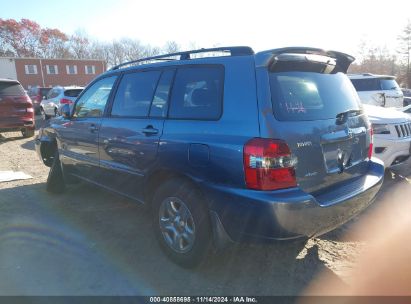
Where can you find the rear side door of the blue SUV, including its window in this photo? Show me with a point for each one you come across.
(129, 137)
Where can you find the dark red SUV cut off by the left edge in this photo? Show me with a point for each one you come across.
(16, 109)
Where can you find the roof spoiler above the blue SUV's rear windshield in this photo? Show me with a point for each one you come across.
(269, 58)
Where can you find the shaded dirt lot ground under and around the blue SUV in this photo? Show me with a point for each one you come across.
(90, 242)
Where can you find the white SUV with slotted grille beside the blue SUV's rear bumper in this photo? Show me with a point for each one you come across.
(392, 134)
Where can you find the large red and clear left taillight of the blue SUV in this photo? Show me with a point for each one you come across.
(268, 164)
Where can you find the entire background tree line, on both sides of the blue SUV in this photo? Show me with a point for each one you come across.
(26, 38)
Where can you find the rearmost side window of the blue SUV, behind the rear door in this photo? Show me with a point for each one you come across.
(197, 93)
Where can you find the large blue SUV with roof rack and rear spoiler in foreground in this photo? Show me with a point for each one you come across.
(245, 147)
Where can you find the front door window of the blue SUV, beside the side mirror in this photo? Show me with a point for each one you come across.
(93, 101)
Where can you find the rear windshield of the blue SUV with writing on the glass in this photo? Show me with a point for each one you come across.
(311, 96)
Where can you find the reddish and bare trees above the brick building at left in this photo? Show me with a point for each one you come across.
(26, 38)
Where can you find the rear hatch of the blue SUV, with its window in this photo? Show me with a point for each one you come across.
(320, 118)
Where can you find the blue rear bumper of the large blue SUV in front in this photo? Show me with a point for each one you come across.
(247, 215)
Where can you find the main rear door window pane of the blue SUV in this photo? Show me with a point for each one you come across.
(134, 94)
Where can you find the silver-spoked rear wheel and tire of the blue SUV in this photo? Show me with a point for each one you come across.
(181, 223)
